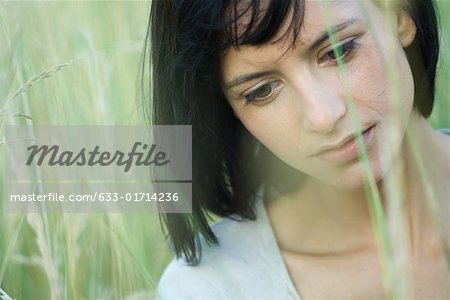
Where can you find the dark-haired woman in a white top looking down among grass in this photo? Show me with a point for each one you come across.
(307, 116)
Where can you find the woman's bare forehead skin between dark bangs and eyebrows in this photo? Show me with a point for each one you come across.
(344, 17)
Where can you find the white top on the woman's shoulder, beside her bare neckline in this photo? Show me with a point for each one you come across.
(247, 264)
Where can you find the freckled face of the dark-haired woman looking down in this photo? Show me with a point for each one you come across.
(294, 100)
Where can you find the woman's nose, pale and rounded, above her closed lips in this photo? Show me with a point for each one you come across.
(322, 107)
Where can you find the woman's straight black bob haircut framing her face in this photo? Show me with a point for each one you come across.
(184, 43)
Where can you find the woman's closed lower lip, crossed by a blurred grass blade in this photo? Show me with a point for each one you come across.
(349, 150)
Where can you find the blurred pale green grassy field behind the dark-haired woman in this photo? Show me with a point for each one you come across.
(77, 63)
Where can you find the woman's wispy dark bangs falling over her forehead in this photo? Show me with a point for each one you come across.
(257, 22)
